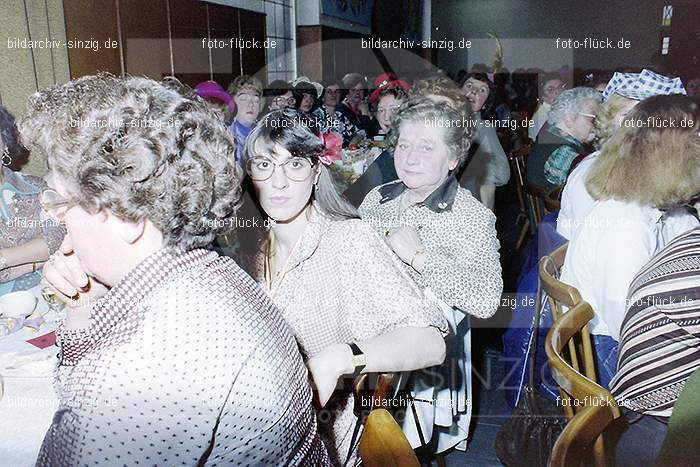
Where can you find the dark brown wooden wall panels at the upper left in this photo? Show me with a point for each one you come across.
(158, 38)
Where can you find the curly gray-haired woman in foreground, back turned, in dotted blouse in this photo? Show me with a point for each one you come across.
(161, 332)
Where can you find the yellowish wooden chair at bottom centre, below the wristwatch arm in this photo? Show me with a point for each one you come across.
(382, 443)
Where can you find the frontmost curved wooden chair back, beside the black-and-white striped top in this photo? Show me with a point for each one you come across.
(593, 406)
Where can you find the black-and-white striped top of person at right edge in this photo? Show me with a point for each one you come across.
(660, 337)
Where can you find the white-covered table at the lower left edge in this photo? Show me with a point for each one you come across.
(29, 401)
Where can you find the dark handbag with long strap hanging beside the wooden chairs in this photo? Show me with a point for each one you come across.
(526, 439)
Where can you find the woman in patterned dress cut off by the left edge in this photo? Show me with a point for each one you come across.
(27, 236)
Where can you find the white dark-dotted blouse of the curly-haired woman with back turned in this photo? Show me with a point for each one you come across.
(187, 362)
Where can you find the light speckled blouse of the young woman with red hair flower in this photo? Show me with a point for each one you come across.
(343, 284)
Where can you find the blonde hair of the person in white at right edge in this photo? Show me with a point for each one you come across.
(648, 163)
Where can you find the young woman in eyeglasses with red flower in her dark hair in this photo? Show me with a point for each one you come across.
(342, 291)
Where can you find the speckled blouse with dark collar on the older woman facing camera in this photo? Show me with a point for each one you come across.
(462, 266)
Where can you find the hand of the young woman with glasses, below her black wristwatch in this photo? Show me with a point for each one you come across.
(327, 366)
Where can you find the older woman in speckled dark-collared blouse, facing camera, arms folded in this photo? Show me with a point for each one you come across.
(444, 237)
